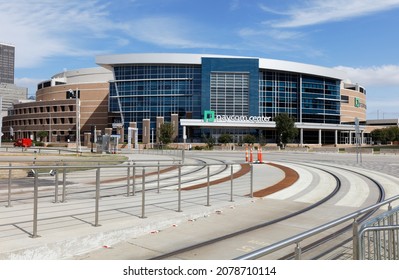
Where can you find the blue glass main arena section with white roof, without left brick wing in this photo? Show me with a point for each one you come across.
(214, 94)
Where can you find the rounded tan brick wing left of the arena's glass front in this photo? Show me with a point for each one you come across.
(55, 111)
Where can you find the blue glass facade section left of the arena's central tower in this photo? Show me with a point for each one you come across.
(149, 91)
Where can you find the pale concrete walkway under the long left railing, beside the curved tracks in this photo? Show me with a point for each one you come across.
(66, 229)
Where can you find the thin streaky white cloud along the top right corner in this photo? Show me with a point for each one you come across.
(321, 11)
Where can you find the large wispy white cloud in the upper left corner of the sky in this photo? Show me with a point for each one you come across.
(47, 28)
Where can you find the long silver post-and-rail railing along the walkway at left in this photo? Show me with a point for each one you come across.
(129, 177)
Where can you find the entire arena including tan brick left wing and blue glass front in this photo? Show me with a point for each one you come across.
(199, 94)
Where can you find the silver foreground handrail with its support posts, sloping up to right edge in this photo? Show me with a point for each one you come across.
(298, 239)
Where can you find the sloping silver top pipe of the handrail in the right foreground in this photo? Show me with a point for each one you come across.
(307, 234)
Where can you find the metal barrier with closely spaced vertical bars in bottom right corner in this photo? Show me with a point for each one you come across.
(378, 237)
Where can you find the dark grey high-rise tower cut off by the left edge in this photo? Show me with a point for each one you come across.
(7, 61)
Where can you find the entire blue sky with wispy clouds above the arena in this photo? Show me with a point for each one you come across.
(357, 36)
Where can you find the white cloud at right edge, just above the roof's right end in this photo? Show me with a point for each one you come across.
(385, 75)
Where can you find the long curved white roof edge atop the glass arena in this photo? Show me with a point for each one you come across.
(108, 61)
